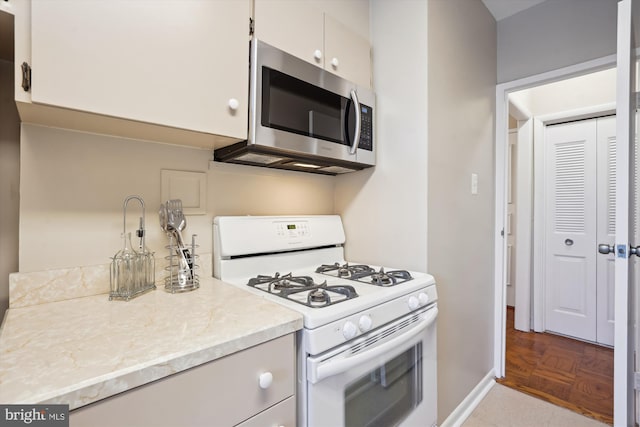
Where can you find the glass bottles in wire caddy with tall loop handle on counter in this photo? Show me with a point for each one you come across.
(132, 272)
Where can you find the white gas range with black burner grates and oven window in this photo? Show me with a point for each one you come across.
(367, 352)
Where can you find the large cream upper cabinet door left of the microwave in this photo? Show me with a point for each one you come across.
(174, 63)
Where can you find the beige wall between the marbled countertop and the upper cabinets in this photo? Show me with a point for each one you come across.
(73, 185)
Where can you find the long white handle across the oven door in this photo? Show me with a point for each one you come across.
(318, 370)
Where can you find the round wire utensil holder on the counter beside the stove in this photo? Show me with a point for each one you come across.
(180, 277)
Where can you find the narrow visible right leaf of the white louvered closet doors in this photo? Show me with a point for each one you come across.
(606, 228)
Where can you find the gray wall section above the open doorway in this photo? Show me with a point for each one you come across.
(555, 34)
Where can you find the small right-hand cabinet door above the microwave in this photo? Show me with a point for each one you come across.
(347, 54)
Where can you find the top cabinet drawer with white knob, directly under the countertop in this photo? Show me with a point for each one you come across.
(220, 393)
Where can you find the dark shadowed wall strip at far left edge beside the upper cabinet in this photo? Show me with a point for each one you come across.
(9, 182)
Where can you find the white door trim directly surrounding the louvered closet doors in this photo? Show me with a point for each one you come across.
(539, 196)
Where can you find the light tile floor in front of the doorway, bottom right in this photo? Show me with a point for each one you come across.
(505, 407)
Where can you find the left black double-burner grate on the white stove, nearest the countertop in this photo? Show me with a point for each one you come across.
(302, 289)
